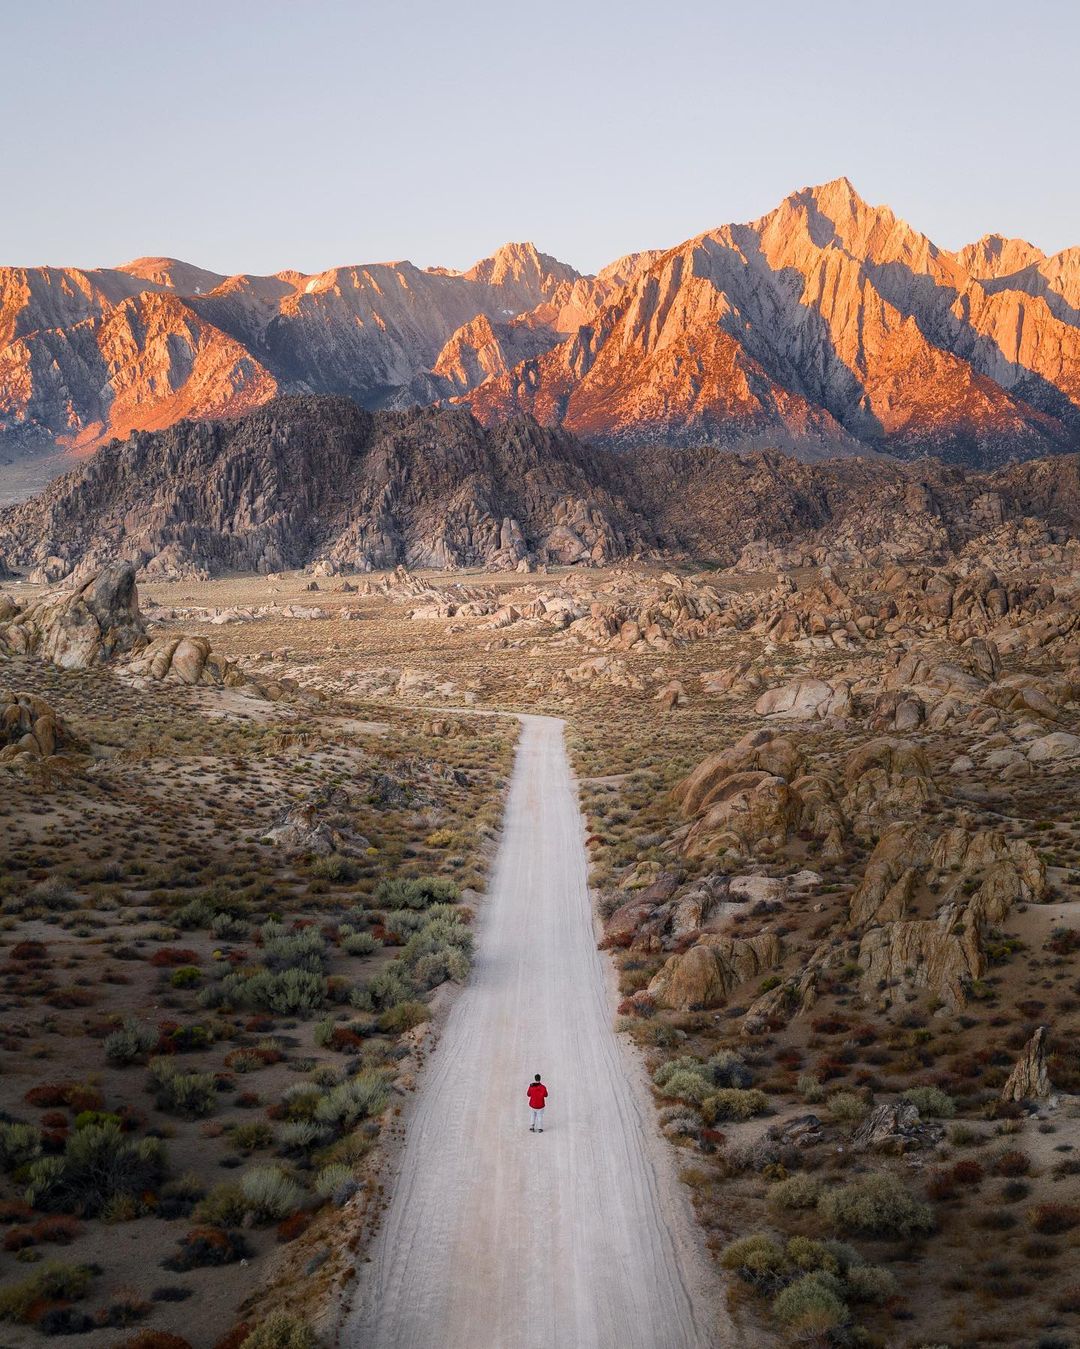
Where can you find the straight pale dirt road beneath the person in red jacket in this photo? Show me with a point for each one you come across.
(501, 1239)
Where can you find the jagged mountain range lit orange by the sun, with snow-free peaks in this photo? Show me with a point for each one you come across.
(827, 327)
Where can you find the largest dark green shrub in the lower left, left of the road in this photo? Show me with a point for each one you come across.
(98, 1168)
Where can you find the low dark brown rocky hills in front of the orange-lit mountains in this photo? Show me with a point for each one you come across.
(316, 481)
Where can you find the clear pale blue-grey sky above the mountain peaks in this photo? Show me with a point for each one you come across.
(254, 136)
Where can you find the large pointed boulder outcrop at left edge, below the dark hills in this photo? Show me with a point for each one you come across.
(90, 625)
